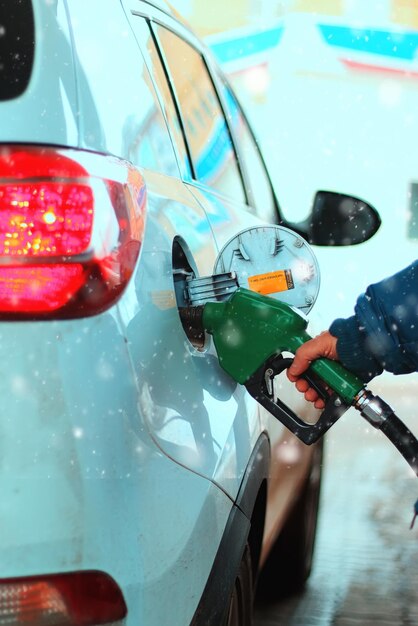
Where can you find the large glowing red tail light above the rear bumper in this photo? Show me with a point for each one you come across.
(71, 225)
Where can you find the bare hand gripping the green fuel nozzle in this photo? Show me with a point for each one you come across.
(324, 345)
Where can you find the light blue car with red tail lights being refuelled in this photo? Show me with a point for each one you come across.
(139, 484)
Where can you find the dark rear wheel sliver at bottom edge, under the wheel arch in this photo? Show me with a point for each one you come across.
(241, 601)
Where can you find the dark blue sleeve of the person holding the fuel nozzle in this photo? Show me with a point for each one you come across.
(383, 333)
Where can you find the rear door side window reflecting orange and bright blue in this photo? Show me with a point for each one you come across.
(210, 146)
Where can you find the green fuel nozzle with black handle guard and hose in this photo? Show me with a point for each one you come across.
(251, 331)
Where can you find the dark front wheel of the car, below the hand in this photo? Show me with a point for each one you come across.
(289, 563)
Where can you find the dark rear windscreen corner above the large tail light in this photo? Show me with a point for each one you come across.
(17, 47)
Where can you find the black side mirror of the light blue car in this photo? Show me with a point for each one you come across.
(340, 220)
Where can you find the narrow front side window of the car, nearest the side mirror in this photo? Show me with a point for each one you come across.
(262, 195)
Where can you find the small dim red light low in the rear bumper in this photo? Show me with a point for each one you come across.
(74, 599)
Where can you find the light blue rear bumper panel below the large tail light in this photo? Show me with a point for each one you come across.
(79, 466)
